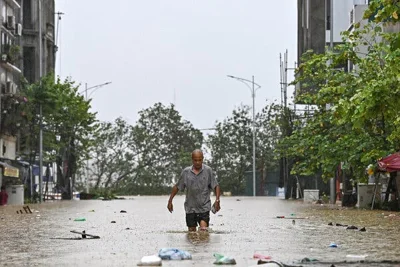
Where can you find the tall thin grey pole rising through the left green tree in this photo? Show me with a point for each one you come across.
(40, 106)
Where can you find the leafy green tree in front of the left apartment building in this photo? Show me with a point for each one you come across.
(66, 122)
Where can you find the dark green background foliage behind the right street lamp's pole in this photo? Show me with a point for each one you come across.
(231, 147)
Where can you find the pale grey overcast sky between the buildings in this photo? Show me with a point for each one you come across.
(151, 49)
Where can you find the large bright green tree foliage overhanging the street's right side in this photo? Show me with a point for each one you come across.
(356, 118)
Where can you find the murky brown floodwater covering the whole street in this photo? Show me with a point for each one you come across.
(239, 230)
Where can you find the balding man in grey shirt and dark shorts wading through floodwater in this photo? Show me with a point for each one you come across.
(199, 181)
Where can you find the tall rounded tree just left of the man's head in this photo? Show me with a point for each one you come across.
(166, 141)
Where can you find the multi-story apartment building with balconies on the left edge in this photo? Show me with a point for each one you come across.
(22, 23)
